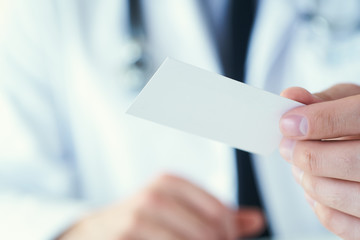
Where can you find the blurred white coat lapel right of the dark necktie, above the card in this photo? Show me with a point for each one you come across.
(270, 36)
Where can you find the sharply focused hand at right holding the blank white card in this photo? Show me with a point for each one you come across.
(321, 140)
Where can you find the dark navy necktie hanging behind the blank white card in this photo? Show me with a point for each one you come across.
(242, 14)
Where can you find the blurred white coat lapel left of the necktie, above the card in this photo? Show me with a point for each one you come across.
(178, 29)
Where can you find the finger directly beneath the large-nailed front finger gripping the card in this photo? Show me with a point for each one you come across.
(333, 159)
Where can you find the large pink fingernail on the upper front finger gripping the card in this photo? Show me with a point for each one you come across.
(294, 126)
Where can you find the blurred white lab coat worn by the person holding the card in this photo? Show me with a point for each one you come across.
(66, 145)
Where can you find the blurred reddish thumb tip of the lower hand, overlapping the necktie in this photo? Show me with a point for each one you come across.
(248, 222)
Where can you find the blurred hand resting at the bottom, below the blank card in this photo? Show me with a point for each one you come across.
(170, 208)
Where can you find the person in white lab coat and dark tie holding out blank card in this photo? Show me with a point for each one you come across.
(74, 166)
